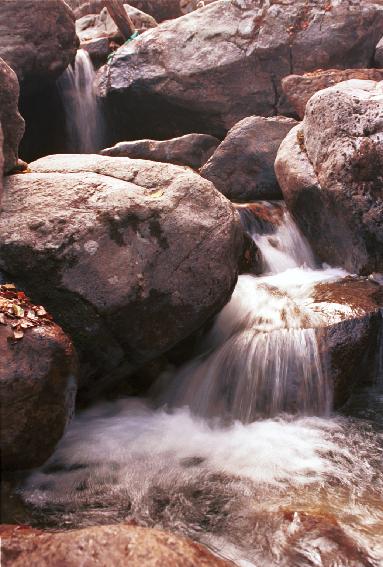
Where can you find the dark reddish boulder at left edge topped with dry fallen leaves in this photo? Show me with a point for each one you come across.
(37, 381)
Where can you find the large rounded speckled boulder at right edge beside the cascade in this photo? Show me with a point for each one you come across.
(330, 172)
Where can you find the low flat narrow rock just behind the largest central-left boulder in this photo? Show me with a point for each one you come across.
(192, 149)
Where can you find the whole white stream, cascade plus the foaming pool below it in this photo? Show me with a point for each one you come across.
(239, 448)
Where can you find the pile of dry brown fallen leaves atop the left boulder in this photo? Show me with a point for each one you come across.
(17, 311)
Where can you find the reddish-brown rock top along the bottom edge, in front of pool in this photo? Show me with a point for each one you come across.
(103, 545)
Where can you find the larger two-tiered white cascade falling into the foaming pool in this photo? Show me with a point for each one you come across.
(261, 357)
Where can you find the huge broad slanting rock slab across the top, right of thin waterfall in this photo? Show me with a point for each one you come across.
(209, 69)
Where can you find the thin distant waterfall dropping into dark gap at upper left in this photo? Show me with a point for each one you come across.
(83, 117)
